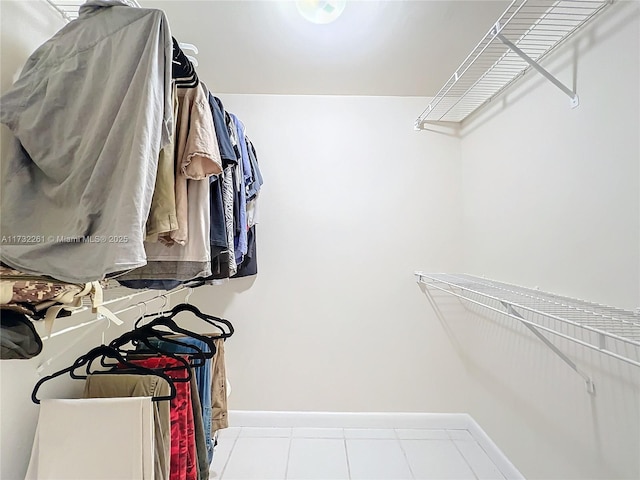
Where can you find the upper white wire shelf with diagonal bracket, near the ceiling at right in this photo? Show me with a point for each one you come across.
(524, 34)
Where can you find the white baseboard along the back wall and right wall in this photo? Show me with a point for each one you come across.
(447, 421)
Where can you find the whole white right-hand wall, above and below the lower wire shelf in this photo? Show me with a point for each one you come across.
(551, 198)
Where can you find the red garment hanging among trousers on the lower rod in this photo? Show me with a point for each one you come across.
(183, 441)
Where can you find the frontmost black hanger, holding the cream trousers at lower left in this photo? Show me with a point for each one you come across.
(106, 351)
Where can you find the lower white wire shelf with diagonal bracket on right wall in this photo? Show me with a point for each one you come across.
(612, 331)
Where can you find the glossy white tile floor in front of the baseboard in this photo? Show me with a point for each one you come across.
(350, 454)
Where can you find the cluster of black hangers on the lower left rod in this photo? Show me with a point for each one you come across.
(114, 357)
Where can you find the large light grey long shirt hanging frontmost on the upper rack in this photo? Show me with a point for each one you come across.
(72, 112)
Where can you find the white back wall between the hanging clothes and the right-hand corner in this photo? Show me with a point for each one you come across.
(354, 201)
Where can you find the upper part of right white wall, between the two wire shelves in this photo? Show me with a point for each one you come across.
(552, 194)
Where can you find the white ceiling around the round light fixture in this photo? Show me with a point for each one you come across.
(406, 48)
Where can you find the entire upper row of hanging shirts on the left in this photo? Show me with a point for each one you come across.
(141, 175)
